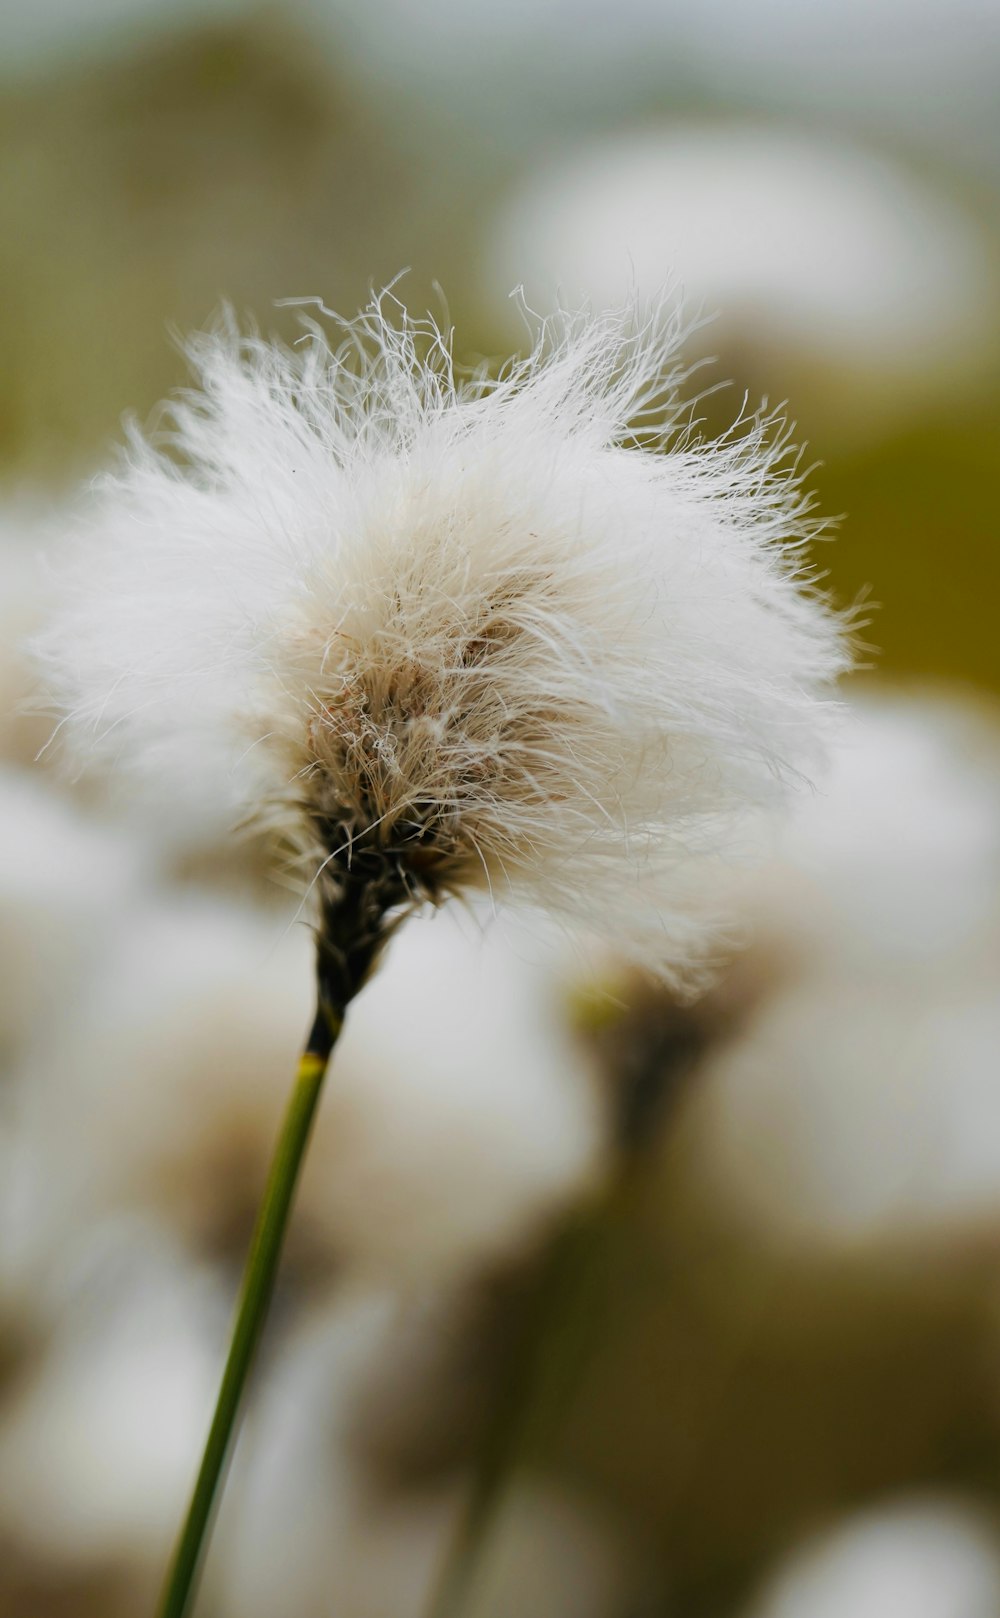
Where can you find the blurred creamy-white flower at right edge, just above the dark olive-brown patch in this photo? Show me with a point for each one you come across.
(854, 1112)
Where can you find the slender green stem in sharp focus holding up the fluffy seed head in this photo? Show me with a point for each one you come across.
(252, 1311)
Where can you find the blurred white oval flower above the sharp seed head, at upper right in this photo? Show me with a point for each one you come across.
(797, 242)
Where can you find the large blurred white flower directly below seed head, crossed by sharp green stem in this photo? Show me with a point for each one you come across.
(462, 1117)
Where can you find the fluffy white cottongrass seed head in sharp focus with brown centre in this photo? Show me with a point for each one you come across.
(525, 633)
